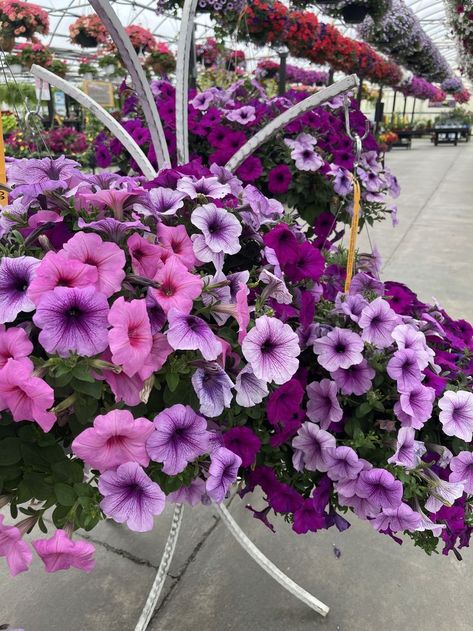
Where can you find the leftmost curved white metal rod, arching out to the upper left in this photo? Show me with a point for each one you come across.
(104, 117)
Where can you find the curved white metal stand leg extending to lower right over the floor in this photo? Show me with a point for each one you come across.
(267, 565)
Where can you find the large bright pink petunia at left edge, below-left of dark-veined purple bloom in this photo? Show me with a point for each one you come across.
(27, 397)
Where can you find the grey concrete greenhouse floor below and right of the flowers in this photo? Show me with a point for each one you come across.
(375, 585)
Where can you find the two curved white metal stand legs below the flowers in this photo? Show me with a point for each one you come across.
(247, 545)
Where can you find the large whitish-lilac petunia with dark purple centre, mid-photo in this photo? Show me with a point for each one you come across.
(271, 348)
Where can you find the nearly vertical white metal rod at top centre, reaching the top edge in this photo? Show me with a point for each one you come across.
(182, 80)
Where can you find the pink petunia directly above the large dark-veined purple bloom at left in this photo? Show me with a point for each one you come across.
(55, 270)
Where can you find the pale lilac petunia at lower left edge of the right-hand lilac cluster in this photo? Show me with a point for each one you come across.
(310, 445)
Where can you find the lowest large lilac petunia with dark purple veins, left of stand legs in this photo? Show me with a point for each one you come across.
(130, 496)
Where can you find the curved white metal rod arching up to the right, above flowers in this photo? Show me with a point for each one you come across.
(348, 83)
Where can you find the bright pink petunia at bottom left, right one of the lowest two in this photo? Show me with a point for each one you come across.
(60, 552)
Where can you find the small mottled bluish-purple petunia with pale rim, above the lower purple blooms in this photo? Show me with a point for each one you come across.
(213, 388)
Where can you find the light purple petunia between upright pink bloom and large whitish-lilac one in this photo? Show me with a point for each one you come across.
(190, 333)
